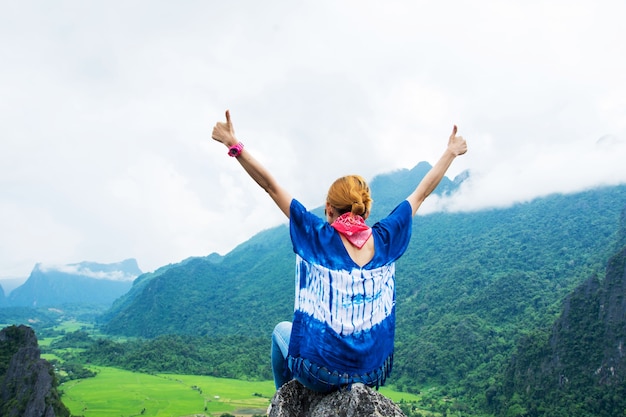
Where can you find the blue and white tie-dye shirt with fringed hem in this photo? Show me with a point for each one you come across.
(344, 314)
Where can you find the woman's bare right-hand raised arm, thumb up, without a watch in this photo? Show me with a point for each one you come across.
(456, 147)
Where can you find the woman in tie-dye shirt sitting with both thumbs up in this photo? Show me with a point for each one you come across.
(344, 315)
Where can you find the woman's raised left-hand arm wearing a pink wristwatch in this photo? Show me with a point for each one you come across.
(224, 133)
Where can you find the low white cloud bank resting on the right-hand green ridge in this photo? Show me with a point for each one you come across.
(536, 172)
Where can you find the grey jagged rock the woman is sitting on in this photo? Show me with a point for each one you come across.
(294, 400)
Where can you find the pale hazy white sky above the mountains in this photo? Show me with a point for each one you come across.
(107, 109)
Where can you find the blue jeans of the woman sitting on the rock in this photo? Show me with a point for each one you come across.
(312, 377)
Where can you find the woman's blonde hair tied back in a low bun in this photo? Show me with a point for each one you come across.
(350, 194)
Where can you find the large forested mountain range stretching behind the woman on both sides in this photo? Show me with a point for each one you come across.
(468, 288)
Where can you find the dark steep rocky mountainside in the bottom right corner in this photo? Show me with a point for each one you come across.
(579, 367)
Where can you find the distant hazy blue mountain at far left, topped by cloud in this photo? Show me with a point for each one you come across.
(85, 283)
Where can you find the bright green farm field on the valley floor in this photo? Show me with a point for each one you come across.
(116, 392)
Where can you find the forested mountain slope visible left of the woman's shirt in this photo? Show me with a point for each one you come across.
(202, 296)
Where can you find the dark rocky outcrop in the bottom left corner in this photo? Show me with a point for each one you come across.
(27, 382)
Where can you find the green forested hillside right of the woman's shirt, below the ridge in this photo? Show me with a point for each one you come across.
(472, 283)
